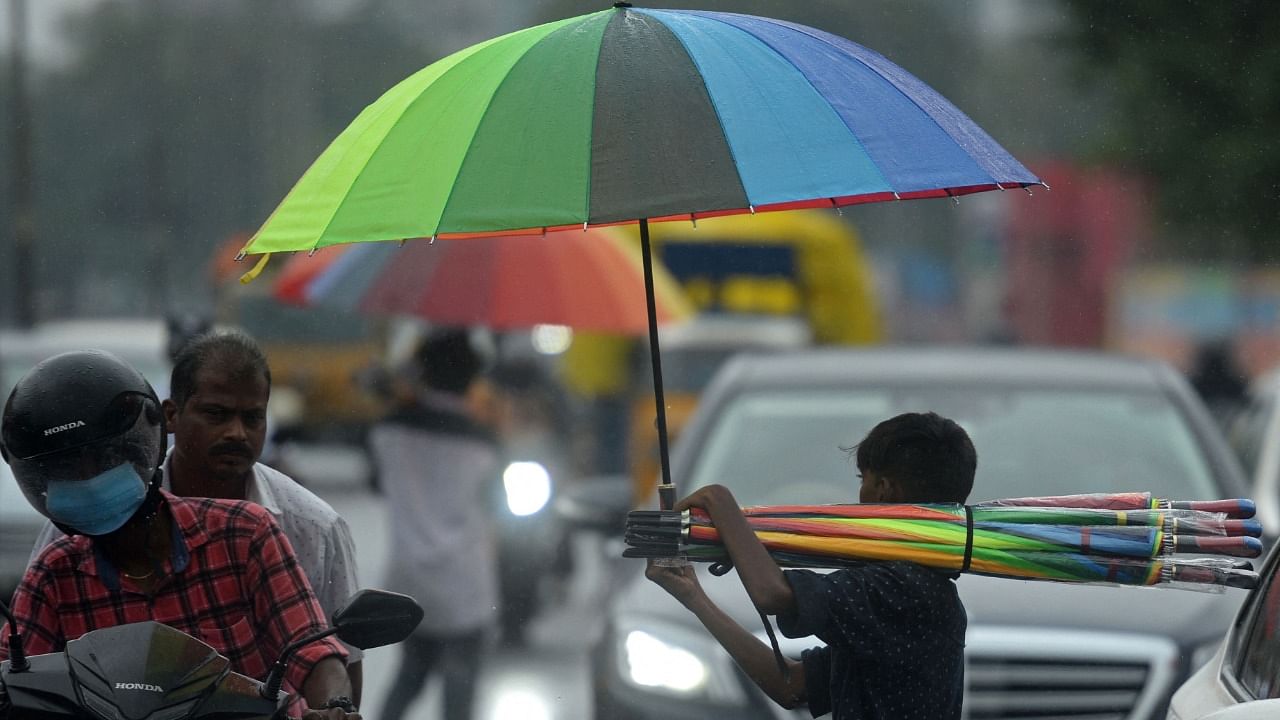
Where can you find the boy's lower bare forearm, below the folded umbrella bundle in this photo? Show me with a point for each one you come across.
(755, 658)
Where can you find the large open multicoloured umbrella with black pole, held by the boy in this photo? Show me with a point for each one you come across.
(636, 115)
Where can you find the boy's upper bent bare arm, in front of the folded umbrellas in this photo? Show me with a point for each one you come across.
(761, 576)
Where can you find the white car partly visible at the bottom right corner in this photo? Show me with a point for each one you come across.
(1242, 681)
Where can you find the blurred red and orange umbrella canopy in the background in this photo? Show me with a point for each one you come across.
(588, 281)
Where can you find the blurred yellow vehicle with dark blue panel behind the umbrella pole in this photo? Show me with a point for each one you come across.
(761, 282)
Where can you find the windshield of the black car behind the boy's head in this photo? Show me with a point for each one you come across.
(775, 448)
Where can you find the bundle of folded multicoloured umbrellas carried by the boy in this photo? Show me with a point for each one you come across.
(1118, 539)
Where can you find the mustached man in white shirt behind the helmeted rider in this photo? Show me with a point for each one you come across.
(217, 413)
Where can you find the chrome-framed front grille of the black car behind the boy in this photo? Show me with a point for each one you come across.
(1018, 673)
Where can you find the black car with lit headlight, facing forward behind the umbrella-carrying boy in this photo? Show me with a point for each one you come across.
(1045, 423)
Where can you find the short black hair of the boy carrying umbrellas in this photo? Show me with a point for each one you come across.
(925, 455)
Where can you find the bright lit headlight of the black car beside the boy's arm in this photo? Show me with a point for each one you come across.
(679, 662)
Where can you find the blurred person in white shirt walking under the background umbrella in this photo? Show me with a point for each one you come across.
(437, 466)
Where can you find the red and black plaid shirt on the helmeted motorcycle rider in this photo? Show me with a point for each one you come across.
(232, 582)
